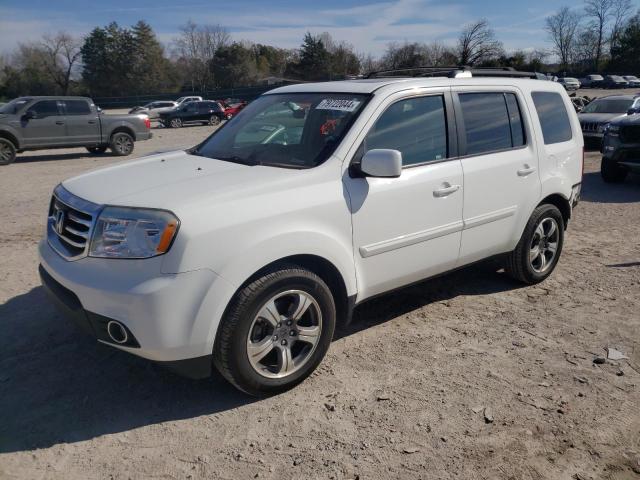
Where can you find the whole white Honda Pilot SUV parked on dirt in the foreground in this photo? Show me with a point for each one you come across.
(245, 251)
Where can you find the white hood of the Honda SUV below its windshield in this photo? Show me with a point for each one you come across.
(175, 179)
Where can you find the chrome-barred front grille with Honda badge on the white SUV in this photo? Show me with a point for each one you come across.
(70, 224)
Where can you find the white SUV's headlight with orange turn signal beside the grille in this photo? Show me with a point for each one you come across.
(133, 233)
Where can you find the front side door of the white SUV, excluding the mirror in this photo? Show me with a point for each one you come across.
(408, 228)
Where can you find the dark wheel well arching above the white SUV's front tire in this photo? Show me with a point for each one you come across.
(321, 267)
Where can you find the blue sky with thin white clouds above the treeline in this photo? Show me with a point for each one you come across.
(367, 25)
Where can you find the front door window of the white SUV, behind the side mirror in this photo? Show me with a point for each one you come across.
(416, 127)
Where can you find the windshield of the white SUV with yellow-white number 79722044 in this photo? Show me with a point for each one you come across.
(293, 130)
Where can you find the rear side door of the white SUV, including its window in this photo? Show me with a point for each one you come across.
(500, 165)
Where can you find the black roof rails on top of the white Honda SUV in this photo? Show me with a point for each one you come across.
(460, 71)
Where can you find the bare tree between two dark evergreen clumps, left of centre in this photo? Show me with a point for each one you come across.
(196, 47)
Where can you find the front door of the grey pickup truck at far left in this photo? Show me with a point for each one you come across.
(47, 127)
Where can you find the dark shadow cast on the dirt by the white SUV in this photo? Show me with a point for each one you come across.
(58, 386)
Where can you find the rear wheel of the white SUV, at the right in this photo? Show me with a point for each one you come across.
(539, 248)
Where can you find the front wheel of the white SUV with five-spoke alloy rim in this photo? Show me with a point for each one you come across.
(275, 332)
